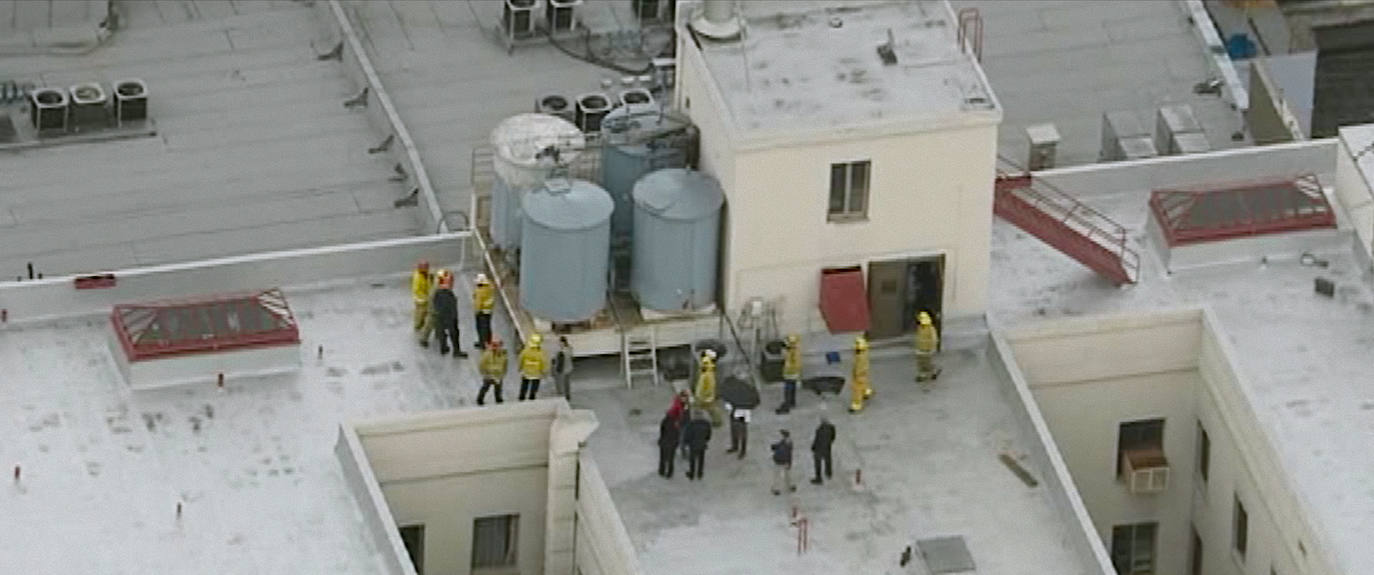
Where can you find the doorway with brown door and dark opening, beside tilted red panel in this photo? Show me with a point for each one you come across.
(899, 290)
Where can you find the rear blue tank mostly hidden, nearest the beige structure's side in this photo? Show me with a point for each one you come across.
(637, 140)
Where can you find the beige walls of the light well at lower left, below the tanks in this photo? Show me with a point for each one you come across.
(446, 470)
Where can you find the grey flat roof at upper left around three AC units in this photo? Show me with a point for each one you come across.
(255, 151)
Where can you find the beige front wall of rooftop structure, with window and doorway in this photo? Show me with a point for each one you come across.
(930, 195)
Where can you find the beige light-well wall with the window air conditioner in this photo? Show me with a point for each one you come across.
(1092, 379)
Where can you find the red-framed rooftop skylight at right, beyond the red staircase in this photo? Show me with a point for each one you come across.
(1306, 208)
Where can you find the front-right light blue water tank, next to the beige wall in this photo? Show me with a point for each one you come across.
(677, 240)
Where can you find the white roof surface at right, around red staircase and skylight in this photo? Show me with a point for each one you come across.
(1306, 357)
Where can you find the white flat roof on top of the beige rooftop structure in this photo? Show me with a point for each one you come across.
(795, 68)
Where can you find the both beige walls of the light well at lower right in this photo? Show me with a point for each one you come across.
(1090, 375)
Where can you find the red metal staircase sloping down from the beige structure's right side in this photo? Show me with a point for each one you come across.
(1066, 224)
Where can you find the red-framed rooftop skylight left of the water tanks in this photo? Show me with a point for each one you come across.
(218, 324)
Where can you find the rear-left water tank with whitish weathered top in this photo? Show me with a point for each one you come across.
(527, 151)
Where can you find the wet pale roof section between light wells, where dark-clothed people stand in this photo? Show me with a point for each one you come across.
(930, 468)
